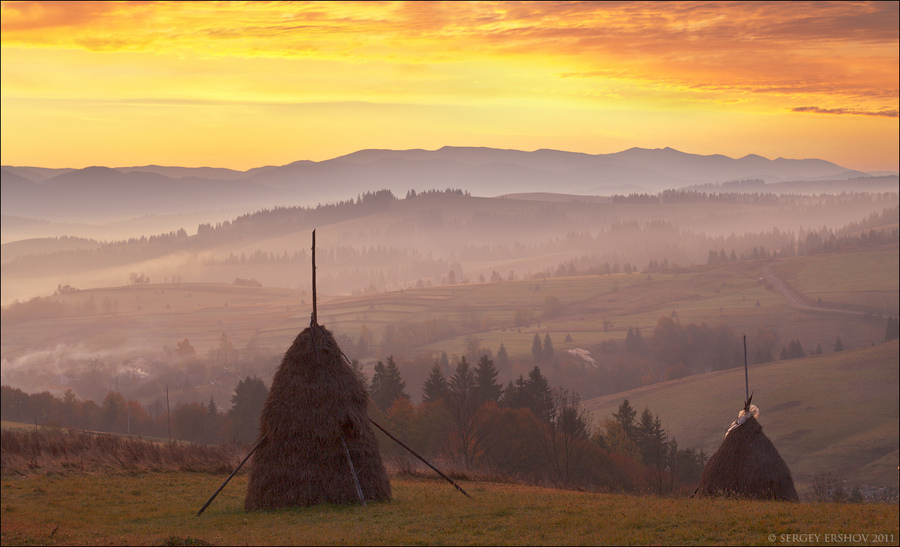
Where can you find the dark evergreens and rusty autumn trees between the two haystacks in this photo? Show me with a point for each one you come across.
(525, 429)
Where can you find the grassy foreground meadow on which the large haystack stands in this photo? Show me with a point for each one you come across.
(160, 509)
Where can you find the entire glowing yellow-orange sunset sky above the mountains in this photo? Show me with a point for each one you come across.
(242, 85)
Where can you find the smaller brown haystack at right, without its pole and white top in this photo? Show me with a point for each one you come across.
(747, 465)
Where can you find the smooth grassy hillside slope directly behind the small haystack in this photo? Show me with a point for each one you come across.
(835, 412)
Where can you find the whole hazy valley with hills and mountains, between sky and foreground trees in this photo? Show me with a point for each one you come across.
(110, 275)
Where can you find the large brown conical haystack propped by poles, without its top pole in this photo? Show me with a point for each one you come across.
(315, 399)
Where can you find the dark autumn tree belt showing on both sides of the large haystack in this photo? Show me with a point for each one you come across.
(525, 430)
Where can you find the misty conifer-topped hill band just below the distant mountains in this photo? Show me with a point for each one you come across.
(391, 243)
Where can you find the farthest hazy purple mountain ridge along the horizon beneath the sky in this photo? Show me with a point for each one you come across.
(105, 193)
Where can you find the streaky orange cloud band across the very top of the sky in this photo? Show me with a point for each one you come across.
(779, 47)
